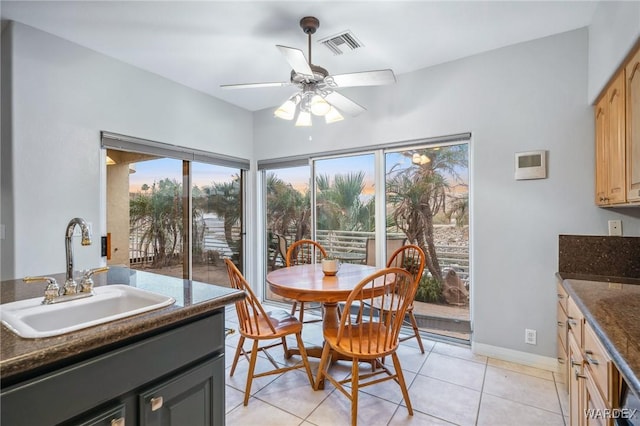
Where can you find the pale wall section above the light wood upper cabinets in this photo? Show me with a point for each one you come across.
(614, 29)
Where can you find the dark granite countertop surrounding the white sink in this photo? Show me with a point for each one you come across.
(19, 356)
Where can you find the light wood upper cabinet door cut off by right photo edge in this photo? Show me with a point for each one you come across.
(633, 127)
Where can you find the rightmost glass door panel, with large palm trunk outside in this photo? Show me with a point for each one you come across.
(427, 201)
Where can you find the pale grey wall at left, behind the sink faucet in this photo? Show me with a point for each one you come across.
(62, 96)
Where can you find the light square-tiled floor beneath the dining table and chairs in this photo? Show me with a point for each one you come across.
(448, 385)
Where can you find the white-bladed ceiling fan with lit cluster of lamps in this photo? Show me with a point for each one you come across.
(317, 94)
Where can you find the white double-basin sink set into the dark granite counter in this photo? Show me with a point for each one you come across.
(31, 319)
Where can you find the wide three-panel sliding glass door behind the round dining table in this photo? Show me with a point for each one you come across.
(422, 199)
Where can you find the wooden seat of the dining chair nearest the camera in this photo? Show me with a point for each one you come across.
(363, 341)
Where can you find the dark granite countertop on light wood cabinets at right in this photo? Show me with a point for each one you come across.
(612, 309)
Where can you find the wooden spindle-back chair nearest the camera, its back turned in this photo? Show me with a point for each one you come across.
(372, 337)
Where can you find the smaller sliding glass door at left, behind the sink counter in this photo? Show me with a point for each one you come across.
(173, 217)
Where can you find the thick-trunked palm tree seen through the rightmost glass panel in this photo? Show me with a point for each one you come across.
(419, 192)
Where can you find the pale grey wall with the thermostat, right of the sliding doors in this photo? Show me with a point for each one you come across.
(525, 97)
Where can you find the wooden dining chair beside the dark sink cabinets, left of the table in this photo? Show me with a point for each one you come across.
(257, 324)
